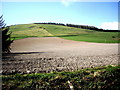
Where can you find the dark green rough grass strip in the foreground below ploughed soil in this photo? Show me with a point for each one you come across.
(105, 77)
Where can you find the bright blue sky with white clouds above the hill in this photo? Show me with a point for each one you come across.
(100, 14)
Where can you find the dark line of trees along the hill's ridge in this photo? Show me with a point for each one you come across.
(80, 26)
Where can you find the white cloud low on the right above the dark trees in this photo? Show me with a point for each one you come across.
(109, 25)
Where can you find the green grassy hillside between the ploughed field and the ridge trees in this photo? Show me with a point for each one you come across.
(71, 33)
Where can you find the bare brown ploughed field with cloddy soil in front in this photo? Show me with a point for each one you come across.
(49, 54)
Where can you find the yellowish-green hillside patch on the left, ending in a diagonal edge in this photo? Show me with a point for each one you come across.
(28, 31)
